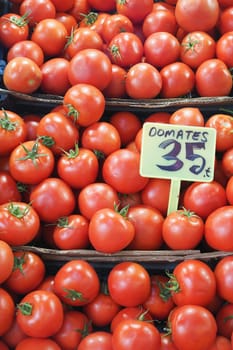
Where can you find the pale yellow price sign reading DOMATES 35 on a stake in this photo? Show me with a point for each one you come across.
(178, 153)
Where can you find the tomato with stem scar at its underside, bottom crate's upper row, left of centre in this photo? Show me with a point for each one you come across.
(76, 283)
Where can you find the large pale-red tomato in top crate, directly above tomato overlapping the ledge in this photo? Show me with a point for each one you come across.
(90, 66)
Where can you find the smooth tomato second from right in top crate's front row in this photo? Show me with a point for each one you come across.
(178, 79)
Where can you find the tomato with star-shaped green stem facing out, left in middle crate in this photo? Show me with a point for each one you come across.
(31, 162)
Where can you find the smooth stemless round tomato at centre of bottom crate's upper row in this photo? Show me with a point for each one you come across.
(129, 283)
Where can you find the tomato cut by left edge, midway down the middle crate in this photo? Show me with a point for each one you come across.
(8, 188)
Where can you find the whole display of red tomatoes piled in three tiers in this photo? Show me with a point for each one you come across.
(70, 179)
